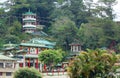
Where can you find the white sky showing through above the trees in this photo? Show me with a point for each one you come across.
(116, 10)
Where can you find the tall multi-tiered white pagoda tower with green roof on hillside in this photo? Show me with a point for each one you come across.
(29, 22)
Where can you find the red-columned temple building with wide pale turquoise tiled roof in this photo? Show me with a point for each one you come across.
(33, 48)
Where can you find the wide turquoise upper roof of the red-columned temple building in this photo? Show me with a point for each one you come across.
(38, 42)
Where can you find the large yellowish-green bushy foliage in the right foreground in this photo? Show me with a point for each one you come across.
(92, 64)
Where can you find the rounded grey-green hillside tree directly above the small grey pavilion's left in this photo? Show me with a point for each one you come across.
(64, 31)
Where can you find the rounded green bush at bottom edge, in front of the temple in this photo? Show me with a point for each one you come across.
(27, 73)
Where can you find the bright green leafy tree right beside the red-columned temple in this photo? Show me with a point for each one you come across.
(51, 57)
